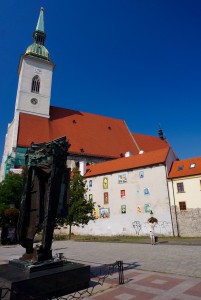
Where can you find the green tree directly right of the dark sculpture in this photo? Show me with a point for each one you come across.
(80, 210)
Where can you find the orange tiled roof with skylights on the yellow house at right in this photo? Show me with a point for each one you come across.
(183, 168)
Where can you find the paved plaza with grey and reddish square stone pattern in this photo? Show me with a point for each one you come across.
(162, 271)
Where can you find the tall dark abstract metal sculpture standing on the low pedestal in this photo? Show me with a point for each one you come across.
(44, 197)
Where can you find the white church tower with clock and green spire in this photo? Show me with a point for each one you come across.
(34, 88)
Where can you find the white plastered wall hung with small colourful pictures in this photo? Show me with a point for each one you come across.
(132, 222)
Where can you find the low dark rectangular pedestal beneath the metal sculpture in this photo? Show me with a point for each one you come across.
(49, 282)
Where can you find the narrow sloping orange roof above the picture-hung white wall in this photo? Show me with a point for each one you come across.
(126, 163)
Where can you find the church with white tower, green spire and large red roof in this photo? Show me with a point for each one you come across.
(93, 138)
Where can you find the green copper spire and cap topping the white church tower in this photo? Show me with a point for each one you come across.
(38, 49)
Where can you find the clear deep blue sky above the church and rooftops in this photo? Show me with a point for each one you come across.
(137, 60)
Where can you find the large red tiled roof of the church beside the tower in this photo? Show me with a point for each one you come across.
(88, 134)
